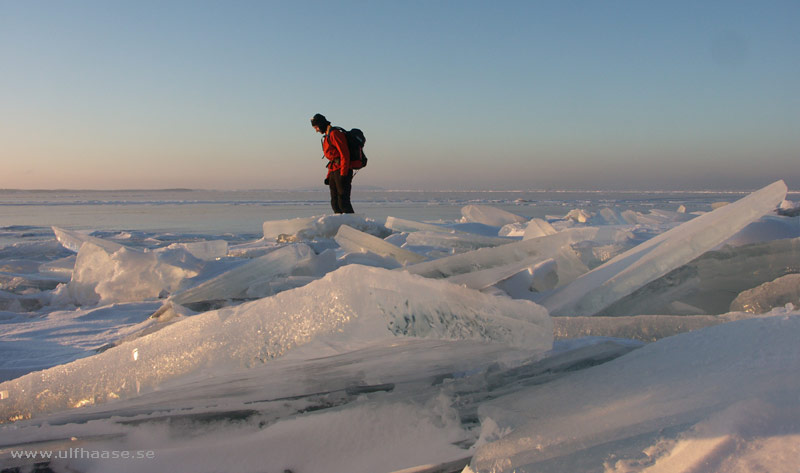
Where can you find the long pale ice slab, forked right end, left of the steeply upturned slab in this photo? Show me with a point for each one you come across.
(531, 251)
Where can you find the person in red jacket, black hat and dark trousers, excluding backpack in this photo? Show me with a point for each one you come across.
(340, 172)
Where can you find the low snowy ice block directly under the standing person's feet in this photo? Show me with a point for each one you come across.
(324, 226)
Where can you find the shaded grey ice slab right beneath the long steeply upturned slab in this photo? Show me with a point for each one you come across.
(710, 282)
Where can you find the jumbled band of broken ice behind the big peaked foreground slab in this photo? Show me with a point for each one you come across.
(571, 268)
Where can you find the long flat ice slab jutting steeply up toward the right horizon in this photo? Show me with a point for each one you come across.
(654, 258)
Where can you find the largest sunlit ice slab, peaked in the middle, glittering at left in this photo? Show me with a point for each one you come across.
(329, 311)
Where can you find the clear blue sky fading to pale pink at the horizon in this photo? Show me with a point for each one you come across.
(450, 94)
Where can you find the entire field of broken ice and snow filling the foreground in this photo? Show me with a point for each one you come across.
(435, 346)
